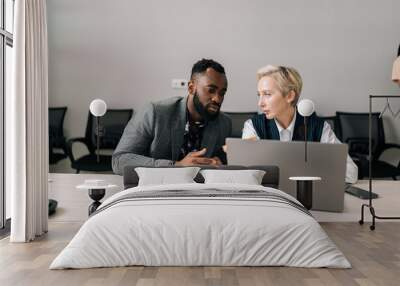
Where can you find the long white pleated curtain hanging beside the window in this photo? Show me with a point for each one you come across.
(27, 123)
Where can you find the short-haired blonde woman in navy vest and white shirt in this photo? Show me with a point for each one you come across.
(279, 89)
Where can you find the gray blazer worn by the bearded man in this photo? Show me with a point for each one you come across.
(154, 136)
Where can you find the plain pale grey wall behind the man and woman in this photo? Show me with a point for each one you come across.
(127, 52)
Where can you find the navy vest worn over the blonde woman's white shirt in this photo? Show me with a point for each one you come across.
(267, 129)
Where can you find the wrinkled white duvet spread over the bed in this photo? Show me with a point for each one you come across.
(200, 231)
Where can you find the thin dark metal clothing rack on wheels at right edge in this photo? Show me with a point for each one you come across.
(369, 205)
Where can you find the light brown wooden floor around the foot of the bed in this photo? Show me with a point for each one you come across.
(374, 255)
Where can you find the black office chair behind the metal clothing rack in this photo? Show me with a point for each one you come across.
(353, 129)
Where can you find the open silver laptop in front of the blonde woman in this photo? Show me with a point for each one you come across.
(327, 161)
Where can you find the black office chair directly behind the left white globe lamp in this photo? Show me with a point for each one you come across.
(112, 126)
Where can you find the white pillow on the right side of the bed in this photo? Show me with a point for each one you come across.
(248, 177)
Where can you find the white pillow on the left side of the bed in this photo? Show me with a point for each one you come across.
(162, 176)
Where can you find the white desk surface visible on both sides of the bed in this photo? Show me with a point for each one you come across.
(73, 203)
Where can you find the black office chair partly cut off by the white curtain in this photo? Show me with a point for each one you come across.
(56, 134)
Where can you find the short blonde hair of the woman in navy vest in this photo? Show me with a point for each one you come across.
(286, 78)
